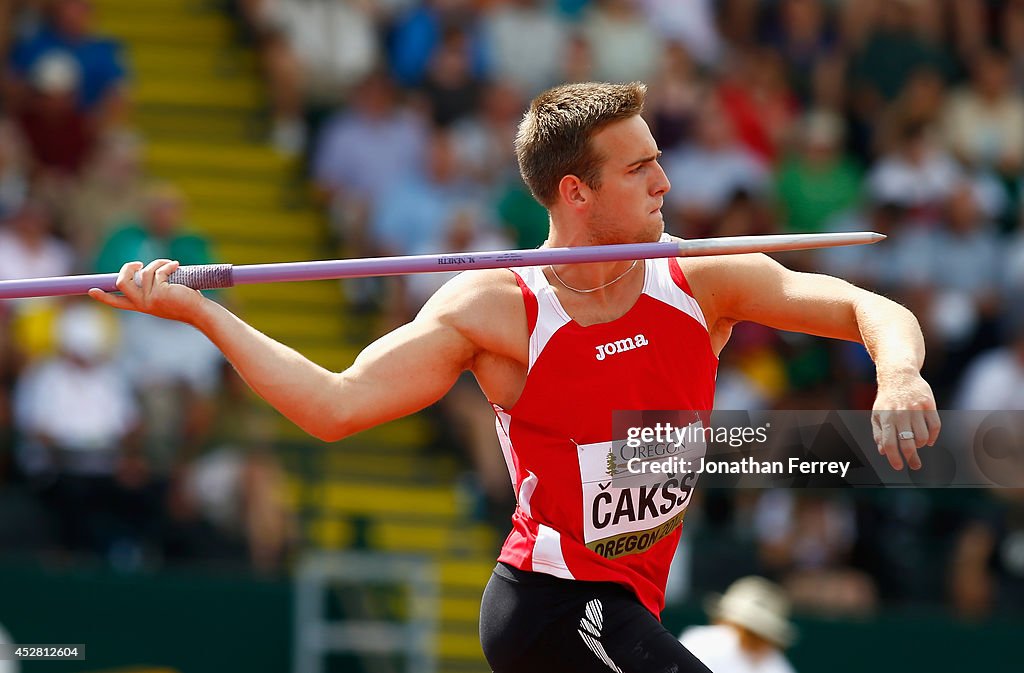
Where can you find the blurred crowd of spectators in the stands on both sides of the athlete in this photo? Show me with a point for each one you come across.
(905, 117)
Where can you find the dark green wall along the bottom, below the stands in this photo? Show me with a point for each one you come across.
(225, 624)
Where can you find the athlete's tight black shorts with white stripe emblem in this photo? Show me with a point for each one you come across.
(536, 623)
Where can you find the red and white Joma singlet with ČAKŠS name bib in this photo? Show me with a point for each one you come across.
(572, 521)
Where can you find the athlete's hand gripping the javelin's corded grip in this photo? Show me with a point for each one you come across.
(154, 296)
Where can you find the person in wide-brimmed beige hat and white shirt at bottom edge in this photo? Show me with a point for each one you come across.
(751, 629)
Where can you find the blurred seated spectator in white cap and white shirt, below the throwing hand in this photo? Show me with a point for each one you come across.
(77, 419)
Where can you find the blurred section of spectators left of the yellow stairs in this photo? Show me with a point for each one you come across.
(115, 441)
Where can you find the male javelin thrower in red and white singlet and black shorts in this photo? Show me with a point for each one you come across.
(563, 599)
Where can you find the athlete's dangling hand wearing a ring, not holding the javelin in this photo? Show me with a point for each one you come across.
(905, 419)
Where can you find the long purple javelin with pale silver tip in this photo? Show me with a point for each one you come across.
(209, 277)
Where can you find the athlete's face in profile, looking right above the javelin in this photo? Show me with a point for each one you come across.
(627, 206)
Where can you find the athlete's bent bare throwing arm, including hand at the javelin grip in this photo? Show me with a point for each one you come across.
(399, 374)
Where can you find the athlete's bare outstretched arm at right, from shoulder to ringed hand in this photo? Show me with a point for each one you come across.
(758, 289)
